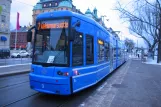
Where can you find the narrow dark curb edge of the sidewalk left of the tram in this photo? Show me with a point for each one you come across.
(14, 73)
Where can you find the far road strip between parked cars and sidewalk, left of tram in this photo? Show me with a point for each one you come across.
(12, 61)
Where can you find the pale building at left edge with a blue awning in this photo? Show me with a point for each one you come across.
(5, 23)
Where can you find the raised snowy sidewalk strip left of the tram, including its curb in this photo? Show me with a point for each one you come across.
(14, 69)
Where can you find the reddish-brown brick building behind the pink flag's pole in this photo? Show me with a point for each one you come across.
(21, 42)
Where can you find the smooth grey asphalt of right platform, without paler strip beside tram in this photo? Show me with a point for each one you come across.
(141, 86)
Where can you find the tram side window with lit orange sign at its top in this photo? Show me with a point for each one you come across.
(100, 51)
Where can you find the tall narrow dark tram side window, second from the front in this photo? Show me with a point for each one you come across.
(89, 50)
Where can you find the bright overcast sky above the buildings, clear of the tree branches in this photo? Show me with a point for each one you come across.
(105, 7)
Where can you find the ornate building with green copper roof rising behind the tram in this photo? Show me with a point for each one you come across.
(55, 5)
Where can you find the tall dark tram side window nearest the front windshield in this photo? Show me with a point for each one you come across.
(77, 50)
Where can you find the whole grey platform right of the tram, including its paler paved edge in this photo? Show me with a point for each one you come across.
(134, 84)
